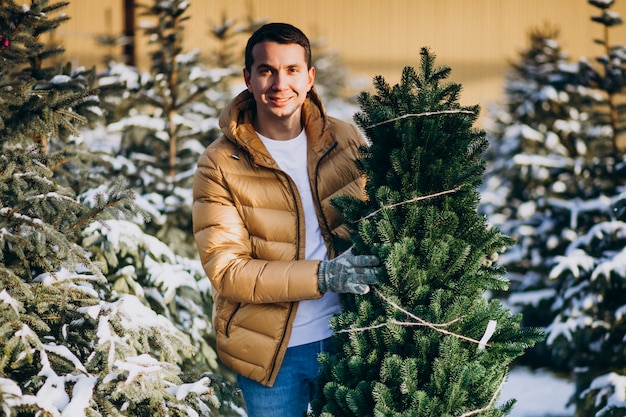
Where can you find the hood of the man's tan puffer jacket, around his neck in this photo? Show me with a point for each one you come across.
(236, 123)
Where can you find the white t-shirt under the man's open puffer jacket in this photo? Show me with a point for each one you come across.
(311, 322)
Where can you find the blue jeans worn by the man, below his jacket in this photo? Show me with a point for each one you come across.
(295, 386)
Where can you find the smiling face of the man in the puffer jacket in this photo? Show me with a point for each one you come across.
(279, 80)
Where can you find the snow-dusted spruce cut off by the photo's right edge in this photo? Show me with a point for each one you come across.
(587, 333)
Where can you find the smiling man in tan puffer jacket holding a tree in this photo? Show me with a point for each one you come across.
(265, 230)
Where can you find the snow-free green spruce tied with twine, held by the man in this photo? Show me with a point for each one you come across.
(425, 341)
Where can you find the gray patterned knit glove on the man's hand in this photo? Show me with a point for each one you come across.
(348, 273)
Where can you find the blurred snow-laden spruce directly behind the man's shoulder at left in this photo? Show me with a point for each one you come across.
(165, 119)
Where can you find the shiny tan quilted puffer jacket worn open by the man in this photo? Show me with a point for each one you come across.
(249, 228)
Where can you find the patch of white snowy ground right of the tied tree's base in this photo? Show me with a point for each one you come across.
(538, 394)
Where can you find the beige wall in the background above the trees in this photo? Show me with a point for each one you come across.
(475, 38)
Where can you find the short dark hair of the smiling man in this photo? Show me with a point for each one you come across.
(283, 33)
